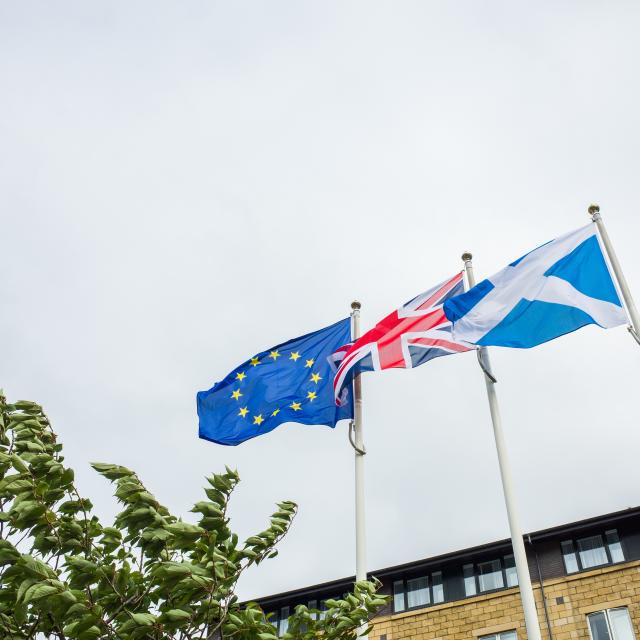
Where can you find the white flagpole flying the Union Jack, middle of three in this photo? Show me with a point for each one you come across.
(522, 567)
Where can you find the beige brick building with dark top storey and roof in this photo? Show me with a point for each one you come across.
(586, 580)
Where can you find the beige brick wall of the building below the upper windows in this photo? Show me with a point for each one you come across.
(467, 619)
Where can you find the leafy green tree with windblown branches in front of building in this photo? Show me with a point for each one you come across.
(150, 575)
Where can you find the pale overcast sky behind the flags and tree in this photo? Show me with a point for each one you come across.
(184, 184)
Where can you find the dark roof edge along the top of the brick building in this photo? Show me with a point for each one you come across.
(452, 555)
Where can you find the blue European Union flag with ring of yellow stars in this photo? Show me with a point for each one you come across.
(291, 382)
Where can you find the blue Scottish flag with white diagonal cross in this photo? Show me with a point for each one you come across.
(555, 289)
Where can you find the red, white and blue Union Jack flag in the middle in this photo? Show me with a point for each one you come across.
(410, 336)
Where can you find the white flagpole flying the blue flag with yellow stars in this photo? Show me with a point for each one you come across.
(361, 540)
